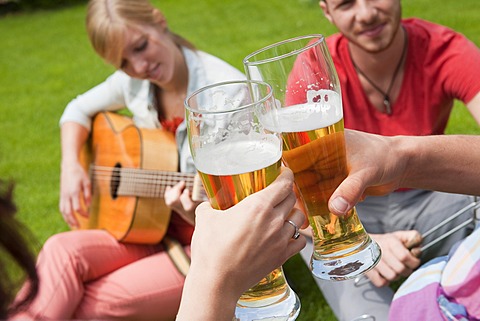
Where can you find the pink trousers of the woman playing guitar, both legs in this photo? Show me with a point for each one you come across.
(89, 275)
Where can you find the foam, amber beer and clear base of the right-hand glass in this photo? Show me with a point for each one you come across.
(314, 149)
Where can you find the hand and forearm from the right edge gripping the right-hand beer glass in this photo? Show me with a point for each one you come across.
(379, 165)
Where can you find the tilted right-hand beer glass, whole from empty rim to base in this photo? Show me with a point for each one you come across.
(310, 116)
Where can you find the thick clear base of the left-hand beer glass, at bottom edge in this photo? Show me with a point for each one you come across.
(283, 308)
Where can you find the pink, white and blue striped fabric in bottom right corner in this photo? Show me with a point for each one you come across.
(446, 288)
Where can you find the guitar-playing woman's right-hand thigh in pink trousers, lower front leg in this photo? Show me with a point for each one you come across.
(148, 289)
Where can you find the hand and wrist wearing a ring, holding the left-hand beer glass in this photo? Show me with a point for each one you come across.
(221, 270)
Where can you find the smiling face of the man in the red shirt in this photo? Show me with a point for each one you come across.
(368, 24)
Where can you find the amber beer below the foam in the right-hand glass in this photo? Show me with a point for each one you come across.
(318, 161)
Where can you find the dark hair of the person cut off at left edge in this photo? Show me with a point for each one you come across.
(13, 242)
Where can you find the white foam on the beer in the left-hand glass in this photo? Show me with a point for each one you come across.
(238, 156)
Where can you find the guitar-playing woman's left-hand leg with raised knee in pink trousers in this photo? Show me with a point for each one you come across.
(69, 260)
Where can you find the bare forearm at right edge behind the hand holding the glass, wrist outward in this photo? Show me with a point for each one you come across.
(449, 163)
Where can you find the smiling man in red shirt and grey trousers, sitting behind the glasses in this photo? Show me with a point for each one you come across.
(398, 77)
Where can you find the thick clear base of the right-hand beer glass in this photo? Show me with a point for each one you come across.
(346, 266)
